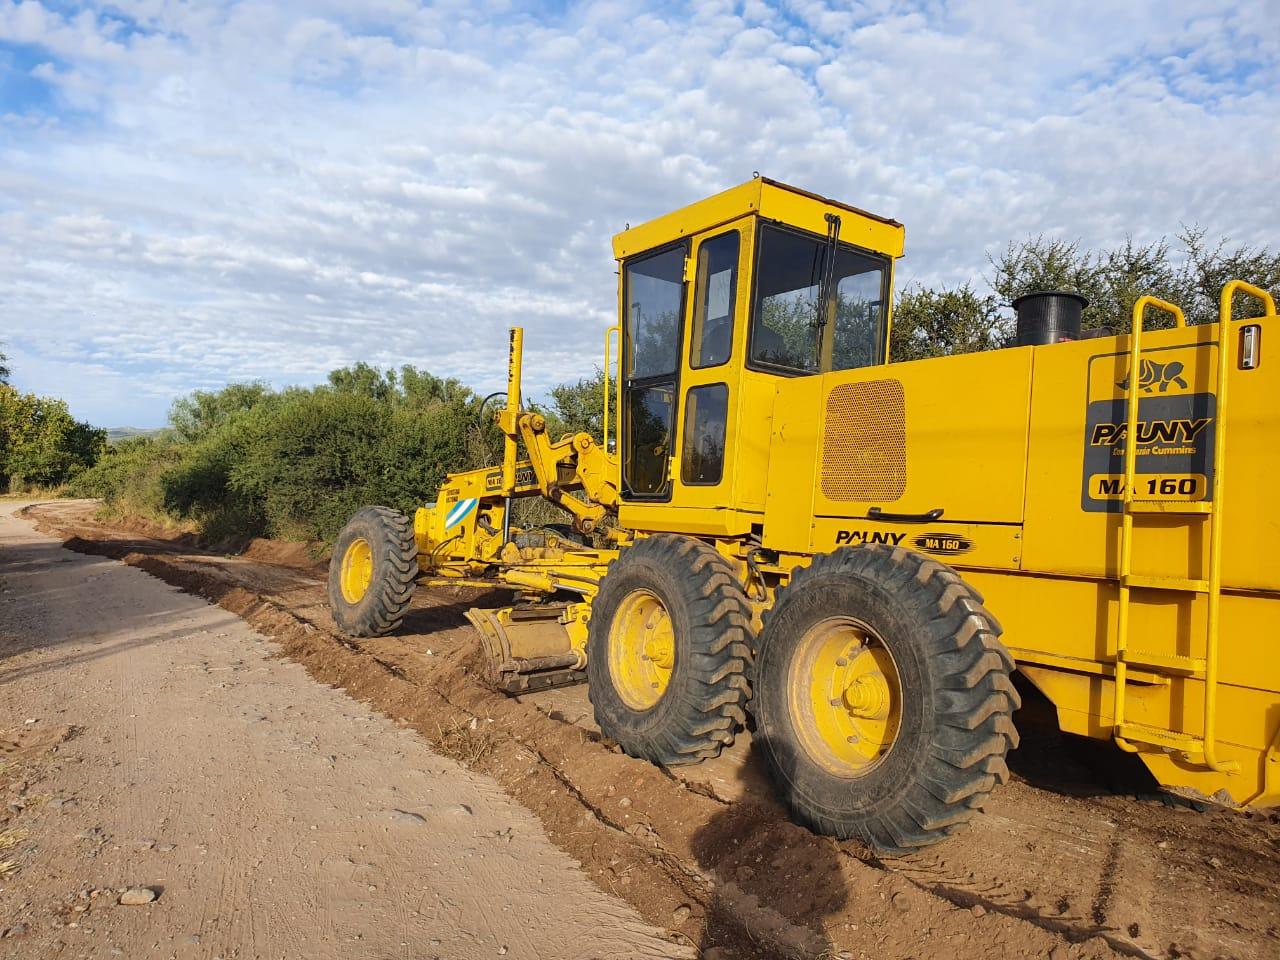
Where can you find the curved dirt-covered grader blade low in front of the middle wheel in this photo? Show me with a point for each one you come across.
(528, 648)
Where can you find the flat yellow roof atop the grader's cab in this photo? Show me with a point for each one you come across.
(774, 202)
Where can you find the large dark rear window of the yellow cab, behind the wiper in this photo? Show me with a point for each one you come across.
(788, 333)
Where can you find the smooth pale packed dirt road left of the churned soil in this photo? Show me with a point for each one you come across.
(154, 740)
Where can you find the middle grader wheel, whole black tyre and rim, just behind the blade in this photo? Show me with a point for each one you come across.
(669, 651)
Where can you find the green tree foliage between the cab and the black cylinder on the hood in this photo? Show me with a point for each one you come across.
(934, 323)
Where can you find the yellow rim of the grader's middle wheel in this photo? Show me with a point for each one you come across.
(642, 650)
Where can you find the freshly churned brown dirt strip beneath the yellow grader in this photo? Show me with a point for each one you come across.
(1071, 861)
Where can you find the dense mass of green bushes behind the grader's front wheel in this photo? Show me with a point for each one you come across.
(248, 463)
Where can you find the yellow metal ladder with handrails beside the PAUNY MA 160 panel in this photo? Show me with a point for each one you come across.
(1201, 751)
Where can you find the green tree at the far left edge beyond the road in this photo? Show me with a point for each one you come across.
(42, 444)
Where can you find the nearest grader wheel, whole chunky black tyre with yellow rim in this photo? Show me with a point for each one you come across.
(884, 698)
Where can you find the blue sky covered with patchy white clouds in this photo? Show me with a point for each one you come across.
(194, 194)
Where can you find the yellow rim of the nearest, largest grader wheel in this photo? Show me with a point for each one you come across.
(845, 697)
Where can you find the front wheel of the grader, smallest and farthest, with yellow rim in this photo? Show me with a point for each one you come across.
(372, 573)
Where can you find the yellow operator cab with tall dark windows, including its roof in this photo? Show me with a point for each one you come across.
(719, 303)
